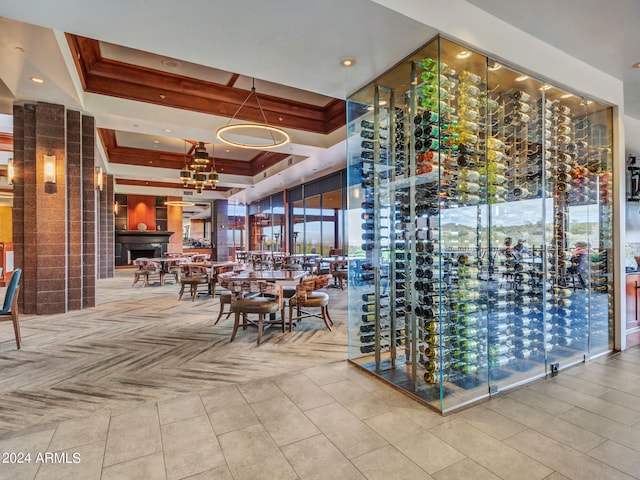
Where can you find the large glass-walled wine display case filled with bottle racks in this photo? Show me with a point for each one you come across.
(480, 226)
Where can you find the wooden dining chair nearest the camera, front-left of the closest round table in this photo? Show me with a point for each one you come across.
(245, 302)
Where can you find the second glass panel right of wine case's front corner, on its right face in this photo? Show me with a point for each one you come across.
(516, 250)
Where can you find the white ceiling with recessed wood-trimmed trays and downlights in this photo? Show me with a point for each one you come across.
(154, 74)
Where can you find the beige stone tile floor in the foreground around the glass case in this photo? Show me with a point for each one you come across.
(336, 422)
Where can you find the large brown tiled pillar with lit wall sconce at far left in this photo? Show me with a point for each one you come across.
(53, 231)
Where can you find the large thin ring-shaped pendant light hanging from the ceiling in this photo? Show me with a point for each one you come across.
(267, 135)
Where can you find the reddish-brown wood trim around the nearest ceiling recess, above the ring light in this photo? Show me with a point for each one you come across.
(113, 78)
